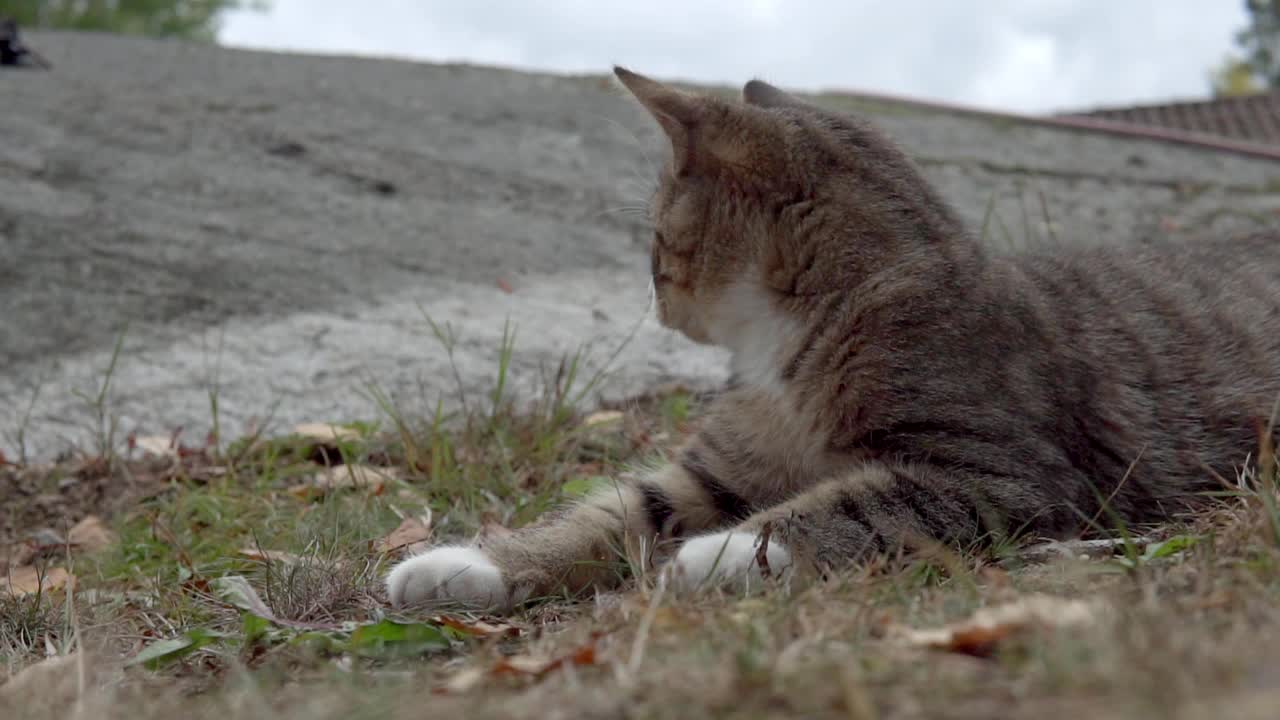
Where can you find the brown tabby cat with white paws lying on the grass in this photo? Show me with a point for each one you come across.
(893, 380)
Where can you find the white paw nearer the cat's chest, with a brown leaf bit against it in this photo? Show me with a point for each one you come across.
(726, 560)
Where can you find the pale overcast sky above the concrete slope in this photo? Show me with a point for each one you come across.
(1030, 56)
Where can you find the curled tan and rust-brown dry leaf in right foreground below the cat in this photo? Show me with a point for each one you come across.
(985, 630)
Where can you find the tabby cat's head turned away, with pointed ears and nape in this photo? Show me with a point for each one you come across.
(770, 199)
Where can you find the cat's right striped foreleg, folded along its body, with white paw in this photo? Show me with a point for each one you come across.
(870, 511)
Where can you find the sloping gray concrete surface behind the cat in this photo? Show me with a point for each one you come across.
(277, 225)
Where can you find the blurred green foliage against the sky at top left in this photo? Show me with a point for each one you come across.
(191, 20)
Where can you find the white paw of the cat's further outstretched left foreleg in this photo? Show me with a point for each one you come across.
(459, 576)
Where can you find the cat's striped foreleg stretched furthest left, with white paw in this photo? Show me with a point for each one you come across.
(584, 544)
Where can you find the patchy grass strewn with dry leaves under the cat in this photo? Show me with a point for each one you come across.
(237, 586)
